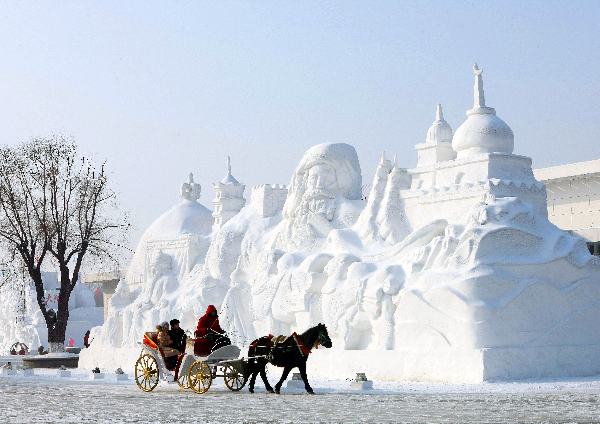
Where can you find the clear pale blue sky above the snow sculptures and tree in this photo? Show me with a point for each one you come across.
(160, 90)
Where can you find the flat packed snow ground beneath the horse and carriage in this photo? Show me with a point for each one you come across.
(46, 398)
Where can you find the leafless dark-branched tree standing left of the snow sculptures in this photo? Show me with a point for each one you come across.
(54, 204)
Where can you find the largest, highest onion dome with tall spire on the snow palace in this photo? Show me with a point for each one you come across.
(483, 131)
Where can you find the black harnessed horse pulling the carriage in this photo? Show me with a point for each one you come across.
(292, 353)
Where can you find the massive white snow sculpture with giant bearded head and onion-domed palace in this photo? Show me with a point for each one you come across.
(450, 271)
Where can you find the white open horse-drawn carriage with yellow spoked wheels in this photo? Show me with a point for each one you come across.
(192, 371)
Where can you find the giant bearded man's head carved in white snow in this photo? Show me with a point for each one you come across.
(327, 177)
